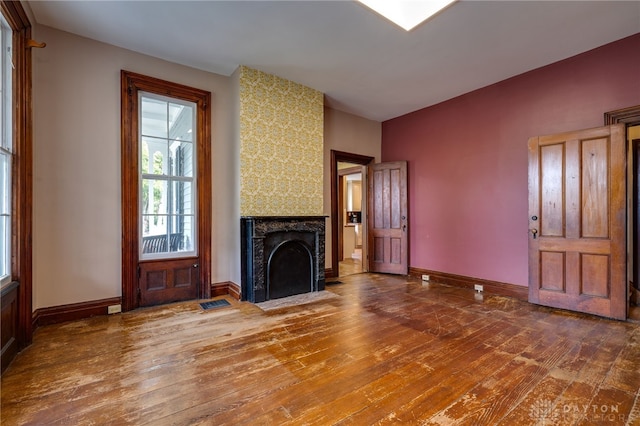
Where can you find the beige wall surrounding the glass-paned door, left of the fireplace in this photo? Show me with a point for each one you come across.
(76, 195)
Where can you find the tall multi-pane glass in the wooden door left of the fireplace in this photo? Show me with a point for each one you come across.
(167, 176)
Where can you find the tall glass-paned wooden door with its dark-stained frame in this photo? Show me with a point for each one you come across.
(166, 191)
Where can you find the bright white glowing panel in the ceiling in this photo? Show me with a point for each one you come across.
(407, 14)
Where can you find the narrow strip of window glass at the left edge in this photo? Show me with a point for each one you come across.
(6, 152)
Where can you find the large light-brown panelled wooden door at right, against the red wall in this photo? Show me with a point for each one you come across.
(577, 256)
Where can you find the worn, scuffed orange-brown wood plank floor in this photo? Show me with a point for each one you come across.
(388, 350)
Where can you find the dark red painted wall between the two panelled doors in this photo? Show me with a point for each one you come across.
(468, 157)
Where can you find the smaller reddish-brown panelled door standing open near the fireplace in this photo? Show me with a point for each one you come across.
(388, 233)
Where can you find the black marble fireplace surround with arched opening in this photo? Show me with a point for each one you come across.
(281, 256)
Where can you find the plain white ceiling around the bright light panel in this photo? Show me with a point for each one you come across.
(364, 64)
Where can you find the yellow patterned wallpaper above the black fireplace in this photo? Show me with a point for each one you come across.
(281, 146)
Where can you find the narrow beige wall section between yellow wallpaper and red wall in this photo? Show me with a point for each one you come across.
(347, 133)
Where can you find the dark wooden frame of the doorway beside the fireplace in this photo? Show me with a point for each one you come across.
(341, 157)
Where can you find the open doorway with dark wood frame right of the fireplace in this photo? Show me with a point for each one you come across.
(345, 160)
